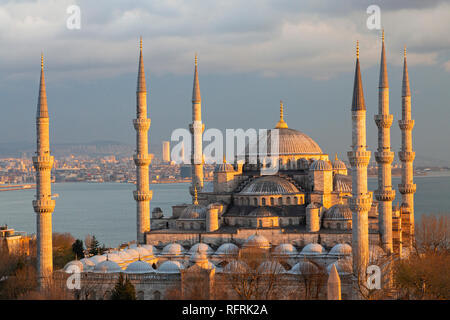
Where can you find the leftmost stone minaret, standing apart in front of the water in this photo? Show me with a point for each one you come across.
(43, 205)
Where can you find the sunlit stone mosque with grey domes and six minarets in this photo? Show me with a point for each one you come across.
(313, 213)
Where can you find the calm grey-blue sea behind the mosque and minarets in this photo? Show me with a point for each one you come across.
(108, 210)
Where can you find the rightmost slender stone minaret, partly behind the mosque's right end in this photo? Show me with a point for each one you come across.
(407, 188)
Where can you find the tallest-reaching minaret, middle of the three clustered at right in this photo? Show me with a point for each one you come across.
(384, 157)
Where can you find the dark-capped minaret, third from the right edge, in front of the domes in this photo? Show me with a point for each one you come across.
(359, 157)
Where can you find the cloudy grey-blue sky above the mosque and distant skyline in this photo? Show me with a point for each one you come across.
(251, 54)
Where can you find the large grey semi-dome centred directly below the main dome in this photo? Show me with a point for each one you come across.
(269, 185)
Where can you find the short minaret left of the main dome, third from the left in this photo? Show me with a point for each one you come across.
(196, 128)
